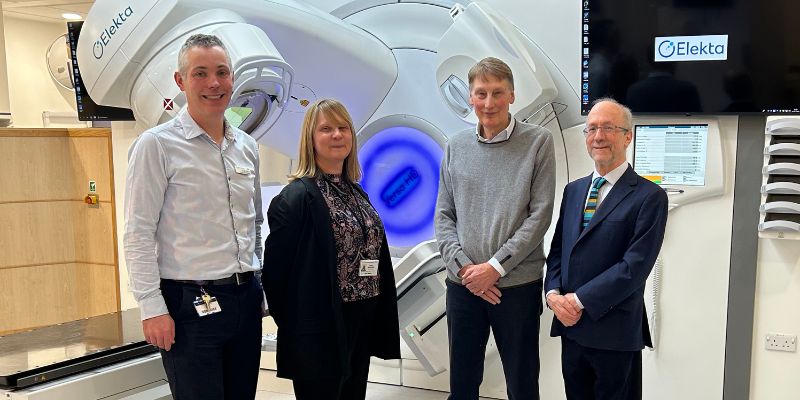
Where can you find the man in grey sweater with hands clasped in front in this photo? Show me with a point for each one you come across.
(495, 203)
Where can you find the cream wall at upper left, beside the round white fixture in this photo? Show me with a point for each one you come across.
(30, 88)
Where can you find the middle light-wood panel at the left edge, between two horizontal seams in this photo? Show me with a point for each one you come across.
(36, 233)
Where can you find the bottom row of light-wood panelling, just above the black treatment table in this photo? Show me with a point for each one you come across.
(50, 294)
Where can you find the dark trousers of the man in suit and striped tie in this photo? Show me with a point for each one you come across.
(595, 374)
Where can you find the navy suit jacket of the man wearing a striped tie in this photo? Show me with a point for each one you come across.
(607, 264)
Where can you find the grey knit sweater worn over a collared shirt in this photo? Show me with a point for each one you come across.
(496, 200)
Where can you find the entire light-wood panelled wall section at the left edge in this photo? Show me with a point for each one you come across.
(58, 257)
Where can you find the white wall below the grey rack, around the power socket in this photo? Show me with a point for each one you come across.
(774, 375)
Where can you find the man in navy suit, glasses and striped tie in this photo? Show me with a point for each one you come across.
(609, 233)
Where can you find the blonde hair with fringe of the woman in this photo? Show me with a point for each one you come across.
(333, 110)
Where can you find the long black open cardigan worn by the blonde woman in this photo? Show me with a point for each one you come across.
(302, 288)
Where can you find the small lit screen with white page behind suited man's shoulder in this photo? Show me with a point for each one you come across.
(671, 154)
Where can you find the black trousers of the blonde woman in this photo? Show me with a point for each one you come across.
(353, 385)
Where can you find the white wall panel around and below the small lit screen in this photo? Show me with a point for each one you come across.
(688, 362)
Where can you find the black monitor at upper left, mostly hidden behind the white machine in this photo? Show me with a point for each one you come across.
(88, 110)
